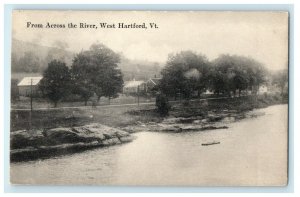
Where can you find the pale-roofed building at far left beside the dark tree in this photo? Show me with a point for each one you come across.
(28, 84)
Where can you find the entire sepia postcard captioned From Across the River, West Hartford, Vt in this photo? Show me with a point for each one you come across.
(149, 98)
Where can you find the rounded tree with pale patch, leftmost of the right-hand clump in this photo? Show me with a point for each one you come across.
(185, 73)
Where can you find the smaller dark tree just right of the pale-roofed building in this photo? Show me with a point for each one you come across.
(56, 81)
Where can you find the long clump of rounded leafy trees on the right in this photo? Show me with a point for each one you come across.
(189, 74)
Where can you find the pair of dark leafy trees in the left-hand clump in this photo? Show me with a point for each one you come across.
(94, 72)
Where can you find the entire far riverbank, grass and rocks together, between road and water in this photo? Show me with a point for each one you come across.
(62, 131)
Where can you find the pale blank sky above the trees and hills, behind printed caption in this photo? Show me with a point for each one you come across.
(260, 35)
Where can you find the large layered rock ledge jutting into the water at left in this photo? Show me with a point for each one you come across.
(34, 144)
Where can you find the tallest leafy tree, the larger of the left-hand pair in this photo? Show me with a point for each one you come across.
(96, 71)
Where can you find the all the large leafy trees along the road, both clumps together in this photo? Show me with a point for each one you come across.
(187, 74)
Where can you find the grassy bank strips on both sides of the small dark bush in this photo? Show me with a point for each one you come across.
(129, 115)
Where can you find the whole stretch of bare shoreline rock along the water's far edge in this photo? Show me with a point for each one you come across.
(36, 144)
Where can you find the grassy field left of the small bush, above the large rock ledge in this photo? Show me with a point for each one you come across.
(111, 116)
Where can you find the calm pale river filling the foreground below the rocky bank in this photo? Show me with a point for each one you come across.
(252, 151)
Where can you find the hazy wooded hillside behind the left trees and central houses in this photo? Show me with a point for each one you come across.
(32, 59)
